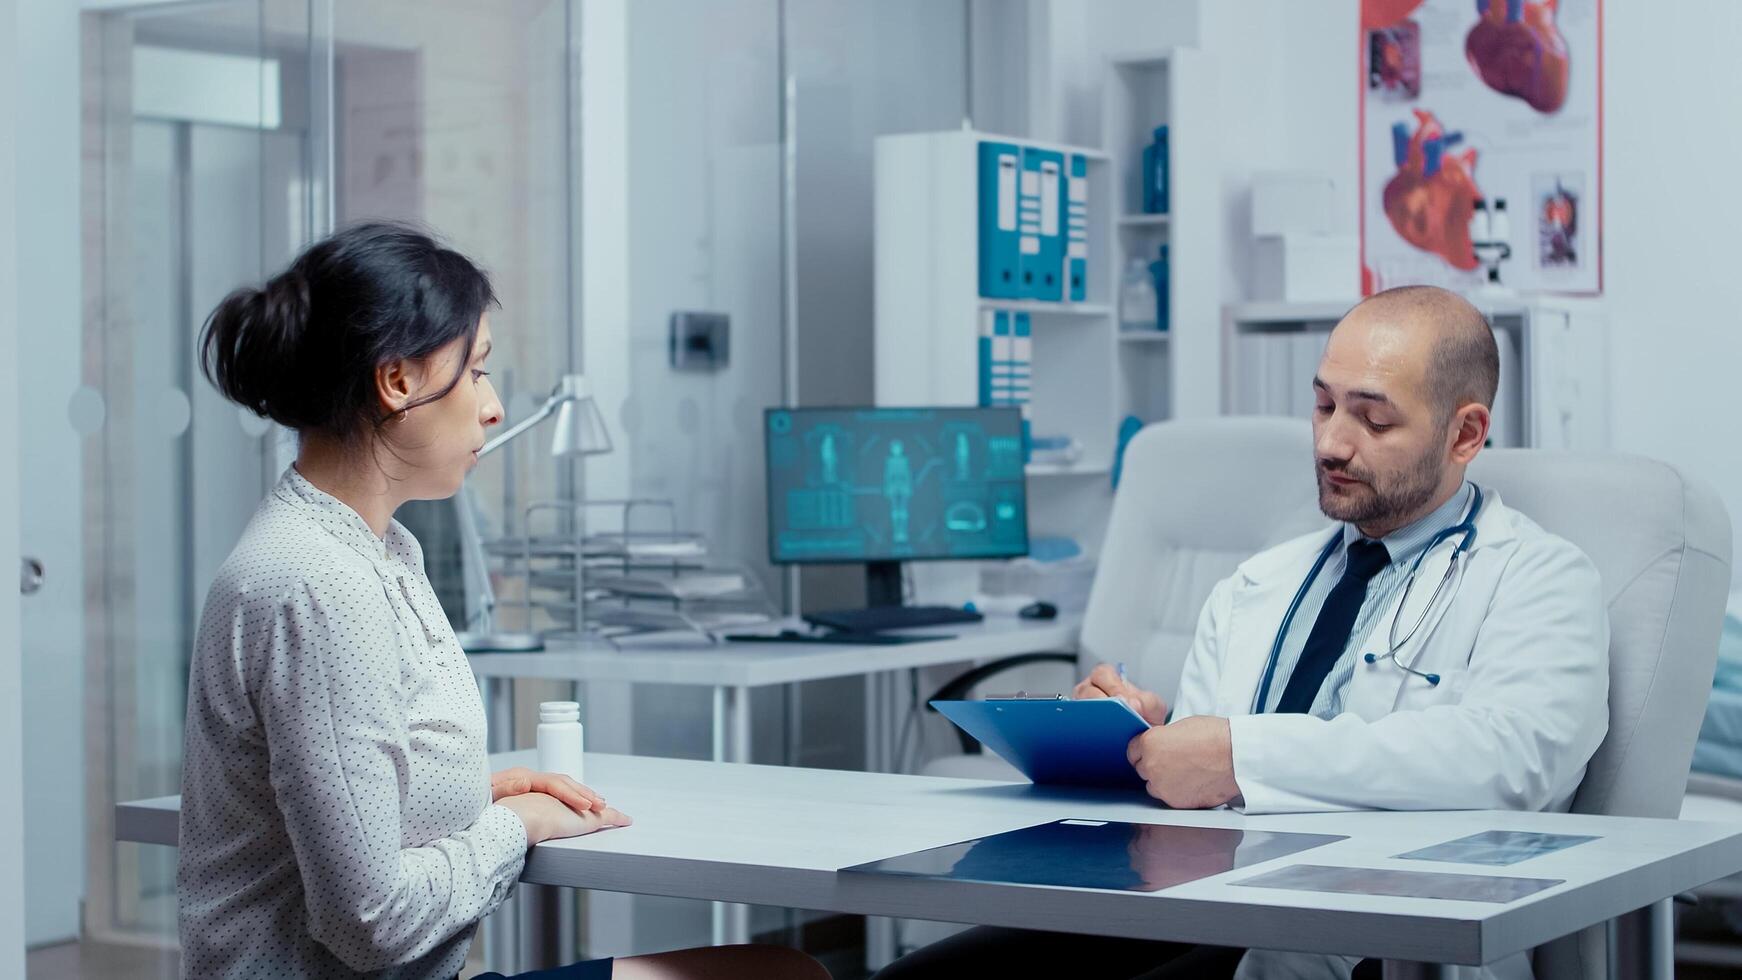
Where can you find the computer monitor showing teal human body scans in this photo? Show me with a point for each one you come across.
(884, 487)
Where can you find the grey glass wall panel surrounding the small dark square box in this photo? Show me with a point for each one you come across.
(705, 198)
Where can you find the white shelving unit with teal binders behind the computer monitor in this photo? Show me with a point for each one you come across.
(1088, 375)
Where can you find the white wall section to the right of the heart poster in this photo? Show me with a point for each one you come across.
(1673, 208)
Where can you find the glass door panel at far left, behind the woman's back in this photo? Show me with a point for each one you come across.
(199, 177)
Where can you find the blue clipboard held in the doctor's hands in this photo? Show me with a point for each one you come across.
(1055, 741)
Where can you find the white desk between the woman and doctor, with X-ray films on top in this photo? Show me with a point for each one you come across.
(776, 836)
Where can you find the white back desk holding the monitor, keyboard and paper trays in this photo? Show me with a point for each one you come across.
(733, 669)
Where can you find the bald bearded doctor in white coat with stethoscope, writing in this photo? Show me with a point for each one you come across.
(1436, 650)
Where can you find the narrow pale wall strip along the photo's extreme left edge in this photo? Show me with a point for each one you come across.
(11, 687)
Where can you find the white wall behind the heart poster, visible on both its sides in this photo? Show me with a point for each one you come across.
(1671, 198)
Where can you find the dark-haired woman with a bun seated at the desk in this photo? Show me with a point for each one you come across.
(339, 816)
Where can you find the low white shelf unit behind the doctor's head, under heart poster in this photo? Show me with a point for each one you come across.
(1553, 365)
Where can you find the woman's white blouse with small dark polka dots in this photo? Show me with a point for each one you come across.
(335, 793)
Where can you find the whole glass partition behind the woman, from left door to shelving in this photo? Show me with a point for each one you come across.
(612, 163)
